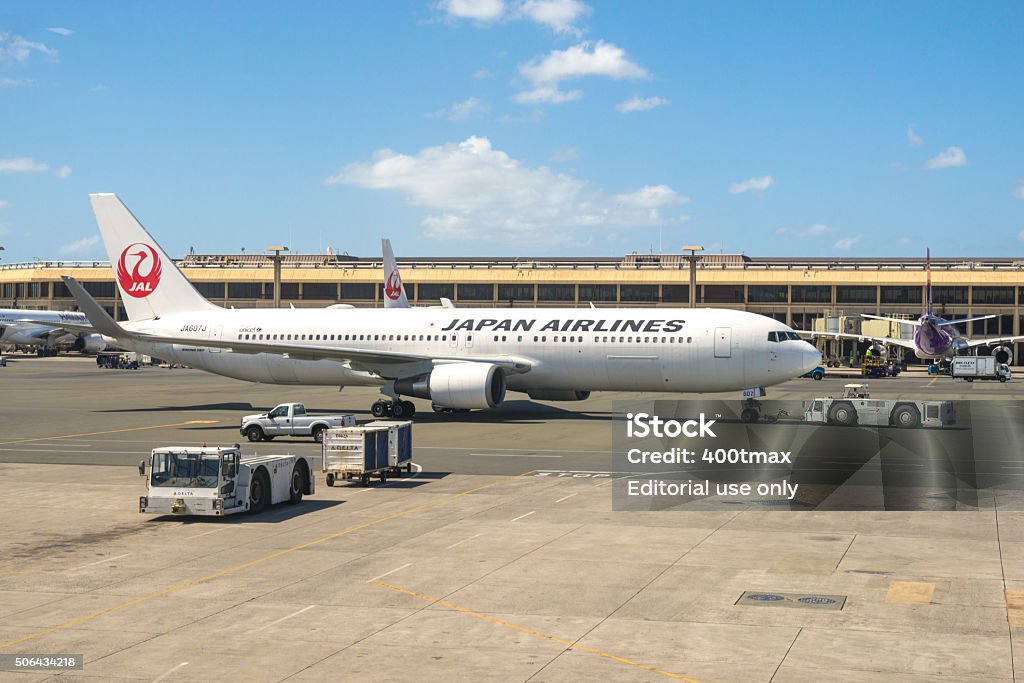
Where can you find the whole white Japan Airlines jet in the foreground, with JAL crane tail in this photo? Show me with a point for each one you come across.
(457, 359)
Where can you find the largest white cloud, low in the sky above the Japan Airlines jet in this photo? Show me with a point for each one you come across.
(475, 192)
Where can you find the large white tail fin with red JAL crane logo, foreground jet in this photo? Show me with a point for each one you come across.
(150, 283)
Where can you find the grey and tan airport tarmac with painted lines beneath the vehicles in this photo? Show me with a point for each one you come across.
(501, 560)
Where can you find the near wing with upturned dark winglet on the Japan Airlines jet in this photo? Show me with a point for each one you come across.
(387, 364)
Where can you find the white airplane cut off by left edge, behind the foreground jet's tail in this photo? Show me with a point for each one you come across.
(47, 329)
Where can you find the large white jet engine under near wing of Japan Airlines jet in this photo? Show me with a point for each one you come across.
(459, 386)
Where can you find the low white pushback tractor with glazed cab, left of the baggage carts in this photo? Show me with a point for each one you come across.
(217, 482)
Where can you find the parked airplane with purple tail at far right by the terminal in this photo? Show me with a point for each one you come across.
(934, 337)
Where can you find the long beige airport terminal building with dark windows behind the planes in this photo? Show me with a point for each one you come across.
(796, 291)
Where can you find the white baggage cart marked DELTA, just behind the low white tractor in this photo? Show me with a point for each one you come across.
(353, 453)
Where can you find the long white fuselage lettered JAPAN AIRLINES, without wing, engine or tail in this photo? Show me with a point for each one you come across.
(621, 350)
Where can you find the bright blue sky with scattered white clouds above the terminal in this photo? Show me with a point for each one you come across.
(483, 127)
